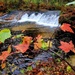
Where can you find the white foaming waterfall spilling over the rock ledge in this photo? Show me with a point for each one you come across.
(49, 18)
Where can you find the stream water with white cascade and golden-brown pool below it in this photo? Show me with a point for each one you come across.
(45, 22)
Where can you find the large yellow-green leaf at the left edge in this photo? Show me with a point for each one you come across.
(4, 34)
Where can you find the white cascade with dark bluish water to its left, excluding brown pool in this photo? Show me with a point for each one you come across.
(49, 18)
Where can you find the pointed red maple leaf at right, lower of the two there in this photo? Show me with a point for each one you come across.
(66, 47)
